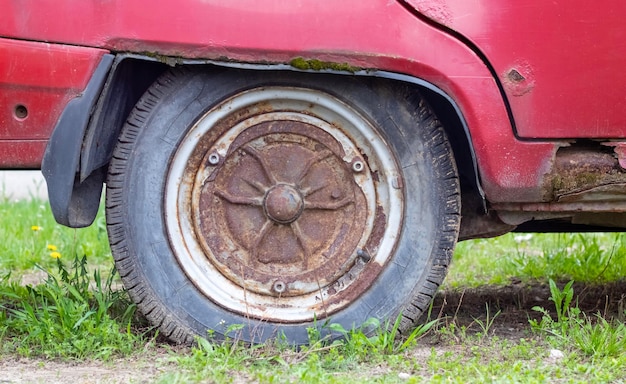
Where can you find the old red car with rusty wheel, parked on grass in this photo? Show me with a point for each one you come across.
(287, 163)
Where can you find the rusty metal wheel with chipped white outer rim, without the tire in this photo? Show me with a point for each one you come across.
(272, 201)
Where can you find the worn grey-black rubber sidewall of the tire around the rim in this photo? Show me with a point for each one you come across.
(186, 97)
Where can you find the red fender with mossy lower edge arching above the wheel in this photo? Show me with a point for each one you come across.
(376, 36)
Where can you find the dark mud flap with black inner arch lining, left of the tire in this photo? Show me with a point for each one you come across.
(78, 151)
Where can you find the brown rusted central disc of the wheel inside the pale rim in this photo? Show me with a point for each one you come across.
(289, 202)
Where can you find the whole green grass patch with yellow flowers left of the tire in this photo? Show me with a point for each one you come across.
(70, 306)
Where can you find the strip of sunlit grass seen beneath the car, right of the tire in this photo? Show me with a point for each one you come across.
(586, 258)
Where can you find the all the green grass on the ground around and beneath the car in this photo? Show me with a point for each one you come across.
(74, 310)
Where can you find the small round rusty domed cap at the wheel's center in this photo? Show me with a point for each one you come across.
(283, 204)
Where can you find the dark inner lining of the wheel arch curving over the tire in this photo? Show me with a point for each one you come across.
(131, 75)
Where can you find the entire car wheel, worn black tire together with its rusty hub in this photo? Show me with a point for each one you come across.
(161, 274)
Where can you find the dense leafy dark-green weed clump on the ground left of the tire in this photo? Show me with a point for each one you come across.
(67, 317)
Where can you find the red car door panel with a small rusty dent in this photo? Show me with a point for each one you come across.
(569, 52)
